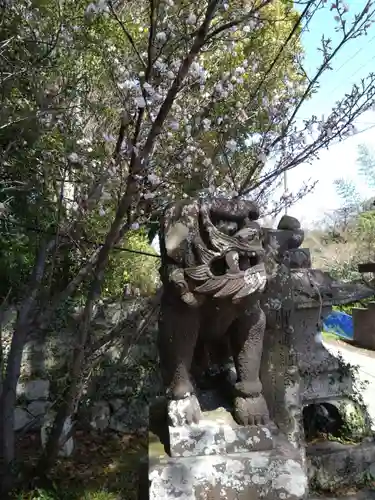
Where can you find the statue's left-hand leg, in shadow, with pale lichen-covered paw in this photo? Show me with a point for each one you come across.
(178, 333)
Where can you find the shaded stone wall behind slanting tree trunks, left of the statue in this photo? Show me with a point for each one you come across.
(122, 376)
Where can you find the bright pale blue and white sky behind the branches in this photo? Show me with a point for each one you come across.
(355, 61)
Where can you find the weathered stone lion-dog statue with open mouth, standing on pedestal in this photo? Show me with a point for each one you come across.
(213, 272)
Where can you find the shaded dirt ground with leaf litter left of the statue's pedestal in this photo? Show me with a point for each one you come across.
(102, 463)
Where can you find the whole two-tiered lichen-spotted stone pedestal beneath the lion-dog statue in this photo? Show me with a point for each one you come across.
(217, 459)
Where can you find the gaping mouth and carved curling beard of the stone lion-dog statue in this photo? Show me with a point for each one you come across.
(236, 275)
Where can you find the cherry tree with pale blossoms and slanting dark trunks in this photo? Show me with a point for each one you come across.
(206, 102)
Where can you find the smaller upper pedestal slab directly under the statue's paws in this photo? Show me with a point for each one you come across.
(216, 434)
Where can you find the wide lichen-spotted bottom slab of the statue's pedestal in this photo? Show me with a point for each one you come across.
(268, 475)
